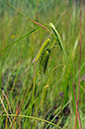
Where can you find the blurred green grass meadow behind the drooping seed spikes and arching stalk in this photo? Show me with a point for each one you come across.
(45, 96)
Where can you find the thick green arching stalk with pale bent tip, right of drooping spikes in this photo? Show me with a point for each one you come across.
(75, 103)
